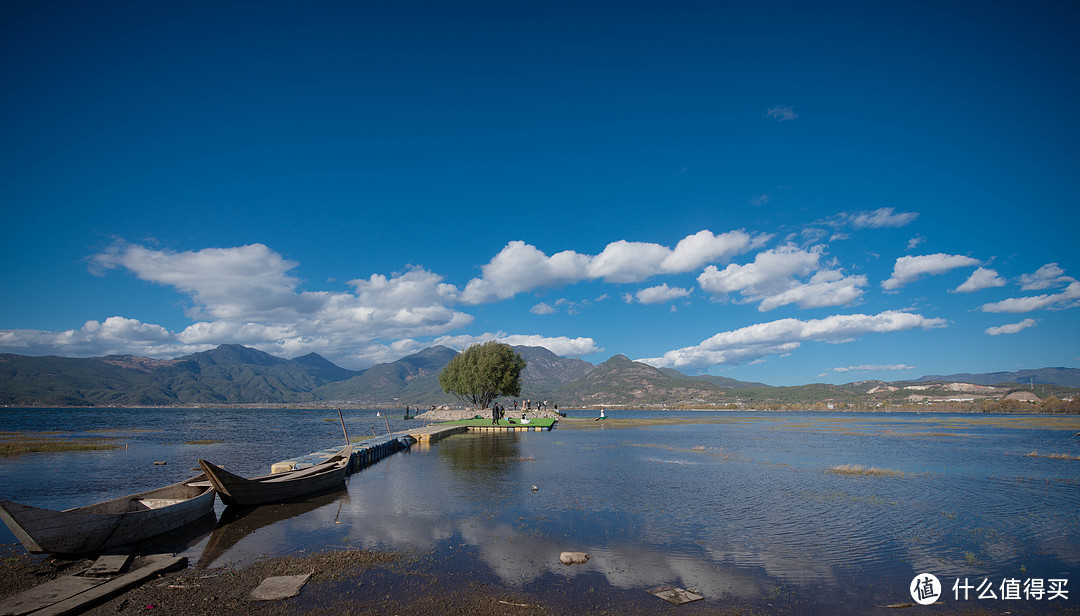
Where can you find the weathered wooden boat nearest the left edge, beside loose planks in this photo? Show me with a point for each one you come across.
(110, 524)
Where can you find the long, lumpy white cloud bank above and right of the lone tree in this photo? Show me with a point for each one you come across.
(522, 267)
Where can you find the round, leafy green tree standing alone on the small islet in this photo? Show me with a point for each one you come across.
(483, 373)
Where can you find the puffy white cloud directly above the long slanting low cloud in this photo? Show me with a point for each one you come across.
(774, 280)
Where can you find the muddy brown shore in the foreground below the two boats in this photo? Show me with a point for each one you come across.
(347, 583)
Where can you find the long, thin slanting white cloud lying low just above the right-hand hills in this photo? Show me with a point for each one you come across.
(784, 337)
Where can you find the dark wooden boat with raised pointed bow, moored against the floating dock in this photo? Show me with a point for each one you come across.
(236, 490)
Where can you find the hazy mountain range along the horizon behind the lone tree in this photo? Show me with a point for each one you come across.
(234, 374)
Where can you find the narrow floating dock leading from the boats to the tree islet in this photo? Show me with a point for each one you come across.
(367, 453)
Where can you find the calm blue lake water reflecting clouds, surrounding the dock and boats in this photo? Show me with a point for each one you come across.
(741, 507)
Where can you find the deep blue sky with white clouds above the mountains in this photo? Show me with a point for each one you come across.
(785, 193)
